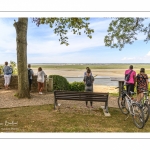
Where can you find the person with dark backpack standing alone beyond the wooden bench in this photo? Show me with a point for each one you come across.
(88, 80)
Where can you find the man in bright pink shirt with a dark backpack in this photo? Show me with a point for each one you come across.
(130, 84)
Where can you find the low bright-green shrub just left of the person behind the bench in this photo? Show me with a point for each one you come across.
(77, 86)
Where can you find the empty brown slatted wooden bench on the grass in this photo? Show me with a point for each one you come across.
(81, 96)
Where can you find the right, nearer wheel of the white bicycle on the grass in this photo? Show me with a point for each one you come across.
(138, 116)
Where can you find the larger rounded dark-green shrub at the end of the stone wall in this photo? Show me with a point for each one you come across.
(59, 82)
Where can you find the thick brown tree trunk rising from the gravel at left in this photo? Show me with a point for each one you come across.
(21, 40)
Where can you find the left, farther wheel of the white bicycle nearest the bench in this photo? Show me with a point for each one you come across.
(122, 103)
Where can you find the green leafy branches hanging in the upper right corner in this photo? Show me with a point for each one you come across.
(123, 31)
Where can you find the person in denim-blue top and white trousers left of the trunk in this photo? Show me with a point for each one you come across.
(7, 75)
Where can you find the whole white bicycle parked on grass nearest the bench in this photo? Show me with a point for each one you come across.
(128, 106)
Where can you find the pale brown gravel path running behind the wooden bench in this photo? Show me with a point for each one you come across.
(8, 100)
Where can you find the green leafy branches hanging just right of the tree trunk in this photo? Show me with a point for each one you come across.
(61, 26)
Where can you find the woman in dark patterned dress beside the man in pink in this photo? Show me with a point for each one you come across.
(142, 83)
